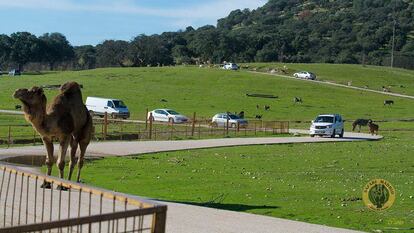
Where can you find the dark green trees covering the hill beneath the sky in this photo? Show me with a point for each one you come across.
(341, 31)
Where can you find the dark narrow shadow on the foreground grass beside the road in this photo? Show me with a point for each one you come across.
(232, 207)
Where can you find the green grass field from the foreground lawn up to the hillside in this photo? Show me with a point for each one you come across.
(318, 183)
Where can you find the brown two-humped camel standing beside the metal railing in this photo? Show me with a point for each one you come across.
(65, 119)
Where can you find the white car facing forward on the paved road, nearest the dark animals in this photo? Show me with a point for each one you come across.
(327, 125)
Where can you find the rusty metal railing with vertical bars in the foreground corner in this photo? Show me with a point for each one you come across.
(71, 207)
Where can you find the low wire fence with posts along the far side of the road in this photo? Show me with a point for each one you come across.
(116, 129)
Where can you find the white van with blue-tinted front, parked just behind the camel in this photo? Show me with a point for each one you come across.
(114, 107)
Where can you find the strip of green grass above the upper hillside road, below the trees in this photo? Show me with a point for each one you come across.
(374, 77)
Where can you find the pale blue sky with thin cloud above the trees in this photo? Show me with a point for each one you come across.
(93, 21)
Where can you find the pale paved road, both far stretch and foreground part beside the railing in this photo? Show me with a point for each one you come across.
(187, 218)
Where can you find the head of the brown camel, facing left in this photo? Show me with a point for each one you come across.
(32, 99)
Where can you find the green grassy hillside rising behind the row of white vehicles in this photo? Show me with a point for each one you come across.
(208, 91)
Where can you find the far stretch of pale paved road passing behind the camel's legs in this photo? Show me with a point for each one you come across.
(122, 148)
